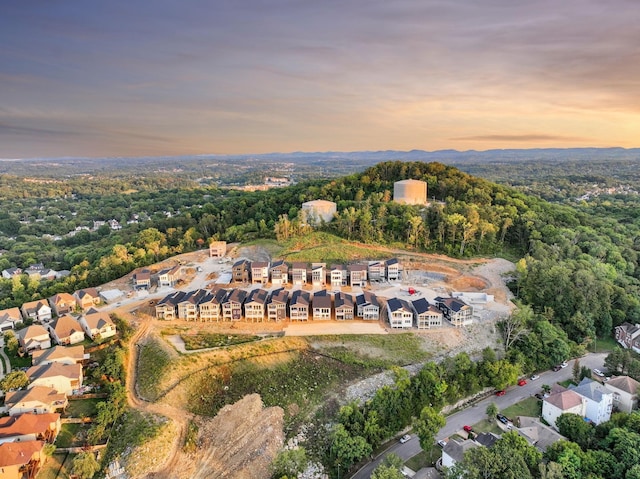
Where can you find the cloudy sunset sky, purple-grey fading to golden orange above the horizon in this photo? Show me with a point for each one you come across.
(95, 78)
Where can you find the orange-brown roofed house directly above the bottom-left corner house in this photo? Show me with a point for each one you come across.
(30, 427)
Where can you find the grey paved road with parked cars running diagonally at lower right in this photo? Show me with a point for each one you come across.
(473, 414)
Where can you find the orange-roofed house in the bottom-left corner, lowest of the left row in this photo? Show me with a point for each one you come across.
(21, 460)
